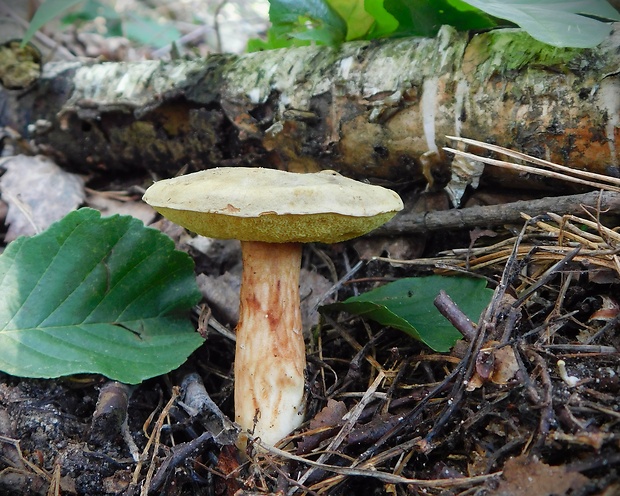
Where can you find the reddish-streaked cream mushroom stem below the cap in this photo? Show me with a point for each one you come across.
(270, 356)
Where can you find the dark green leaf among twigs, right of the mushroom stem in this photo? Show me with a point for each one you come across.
(407, 304)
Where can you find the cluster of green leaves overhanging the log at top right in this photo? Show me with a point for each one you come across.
(578, 24)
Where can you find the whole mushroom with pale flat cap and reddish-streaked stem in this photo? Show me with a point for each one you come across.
(272, 213)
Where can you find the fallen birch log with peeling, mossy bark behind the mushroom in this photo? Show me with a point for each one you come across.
(368, 109)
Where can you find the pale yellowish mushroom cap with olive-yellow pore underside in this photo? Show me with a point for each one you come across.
(256, 204)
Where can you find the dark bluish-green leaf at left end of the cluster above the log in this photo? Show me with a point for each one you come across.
(311, 20)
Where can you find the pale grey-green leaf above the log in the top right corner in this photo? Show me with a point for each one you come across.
(556, 22)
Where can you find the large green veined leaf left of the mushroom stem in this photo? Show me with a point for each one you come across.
(96, 295)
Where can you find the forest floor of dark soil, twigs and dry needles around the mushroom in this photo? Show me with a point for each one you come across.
(526, 404)
